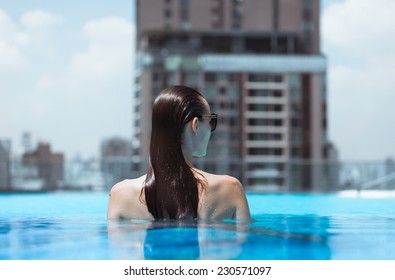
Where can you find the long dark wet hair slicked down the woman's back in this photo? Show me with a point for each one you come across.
(171, 189)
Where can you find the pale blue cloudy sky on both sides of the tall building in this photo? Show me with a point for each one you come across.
(66, 68)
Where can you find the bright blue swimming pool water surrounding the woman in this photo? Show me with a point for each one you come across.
(74, 226)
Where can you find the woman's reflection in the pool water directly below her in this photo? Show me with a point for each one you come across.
(138, 239)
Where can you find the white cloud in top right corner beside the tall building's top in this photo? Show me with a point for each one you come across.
(360, 26)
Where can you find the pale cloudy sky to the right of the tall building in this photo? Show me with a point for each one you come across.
(357, 39)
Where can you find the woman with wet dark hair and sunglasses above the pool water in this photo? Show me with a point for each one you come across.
(173, 188)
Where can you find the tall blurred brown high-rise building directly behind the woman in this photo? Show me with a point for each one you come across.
(258, 64)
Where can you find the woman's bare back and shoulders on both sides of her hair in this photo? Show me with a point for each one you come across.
(222, 198)
